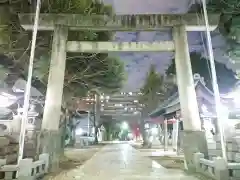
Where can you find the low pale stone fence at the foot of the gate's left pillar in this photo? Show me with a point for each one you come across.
(26, 169)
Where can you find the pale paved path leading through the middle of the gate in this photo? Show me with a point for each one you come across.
(122, 162)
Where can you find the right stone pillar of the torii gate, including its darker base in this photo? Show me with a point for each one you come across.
(194, 139)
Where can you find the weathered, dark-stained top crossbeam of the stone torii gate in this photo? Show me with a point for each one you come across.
(153, 22)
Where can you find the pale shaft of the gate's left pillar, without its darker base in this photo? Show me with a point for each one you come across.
(53, 103)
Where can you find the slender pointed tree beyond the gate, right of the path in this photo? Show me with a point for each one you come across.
(152, 93)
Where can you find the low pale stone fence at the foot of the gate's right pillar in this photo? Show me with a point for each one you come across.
(217, 168)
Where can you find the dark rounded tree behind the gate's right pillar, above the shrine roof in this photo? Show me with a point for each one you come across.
(226, 77)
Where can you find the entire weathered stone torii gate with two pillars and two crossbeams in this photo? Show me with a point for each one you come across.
(61, 24)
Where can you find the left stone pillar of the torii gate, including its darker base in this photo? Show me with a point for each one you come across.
(52, 109)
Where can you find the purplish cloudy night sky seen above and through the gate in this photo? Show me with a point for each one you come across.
(137, 64)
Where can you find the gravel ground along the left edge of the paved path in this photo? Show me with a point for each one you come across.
(73, 158)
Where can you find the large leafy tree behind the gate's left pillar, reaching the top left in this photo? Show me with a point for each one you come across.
(93, 70)
